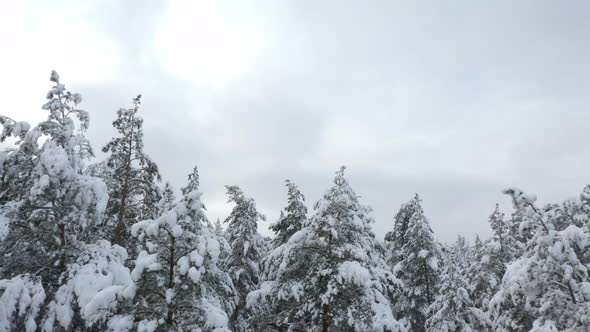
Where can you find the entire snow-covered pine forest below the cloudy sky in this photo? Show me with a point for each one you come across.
(110, 246)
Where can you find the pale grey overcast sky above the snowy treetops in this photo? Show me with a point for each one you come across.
(455, 100)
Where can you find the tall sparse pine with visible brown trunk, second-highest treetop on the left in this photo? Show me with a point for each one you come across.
(132, 187)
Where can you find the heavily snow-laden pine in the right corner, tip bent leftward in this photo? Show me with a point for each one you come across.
(548, 287)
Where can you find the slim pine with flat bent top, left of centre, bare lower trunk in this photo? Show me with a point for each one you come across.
(246, 250)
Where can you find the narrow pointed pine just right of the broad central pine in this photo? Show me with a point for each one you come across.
(418, 269)
